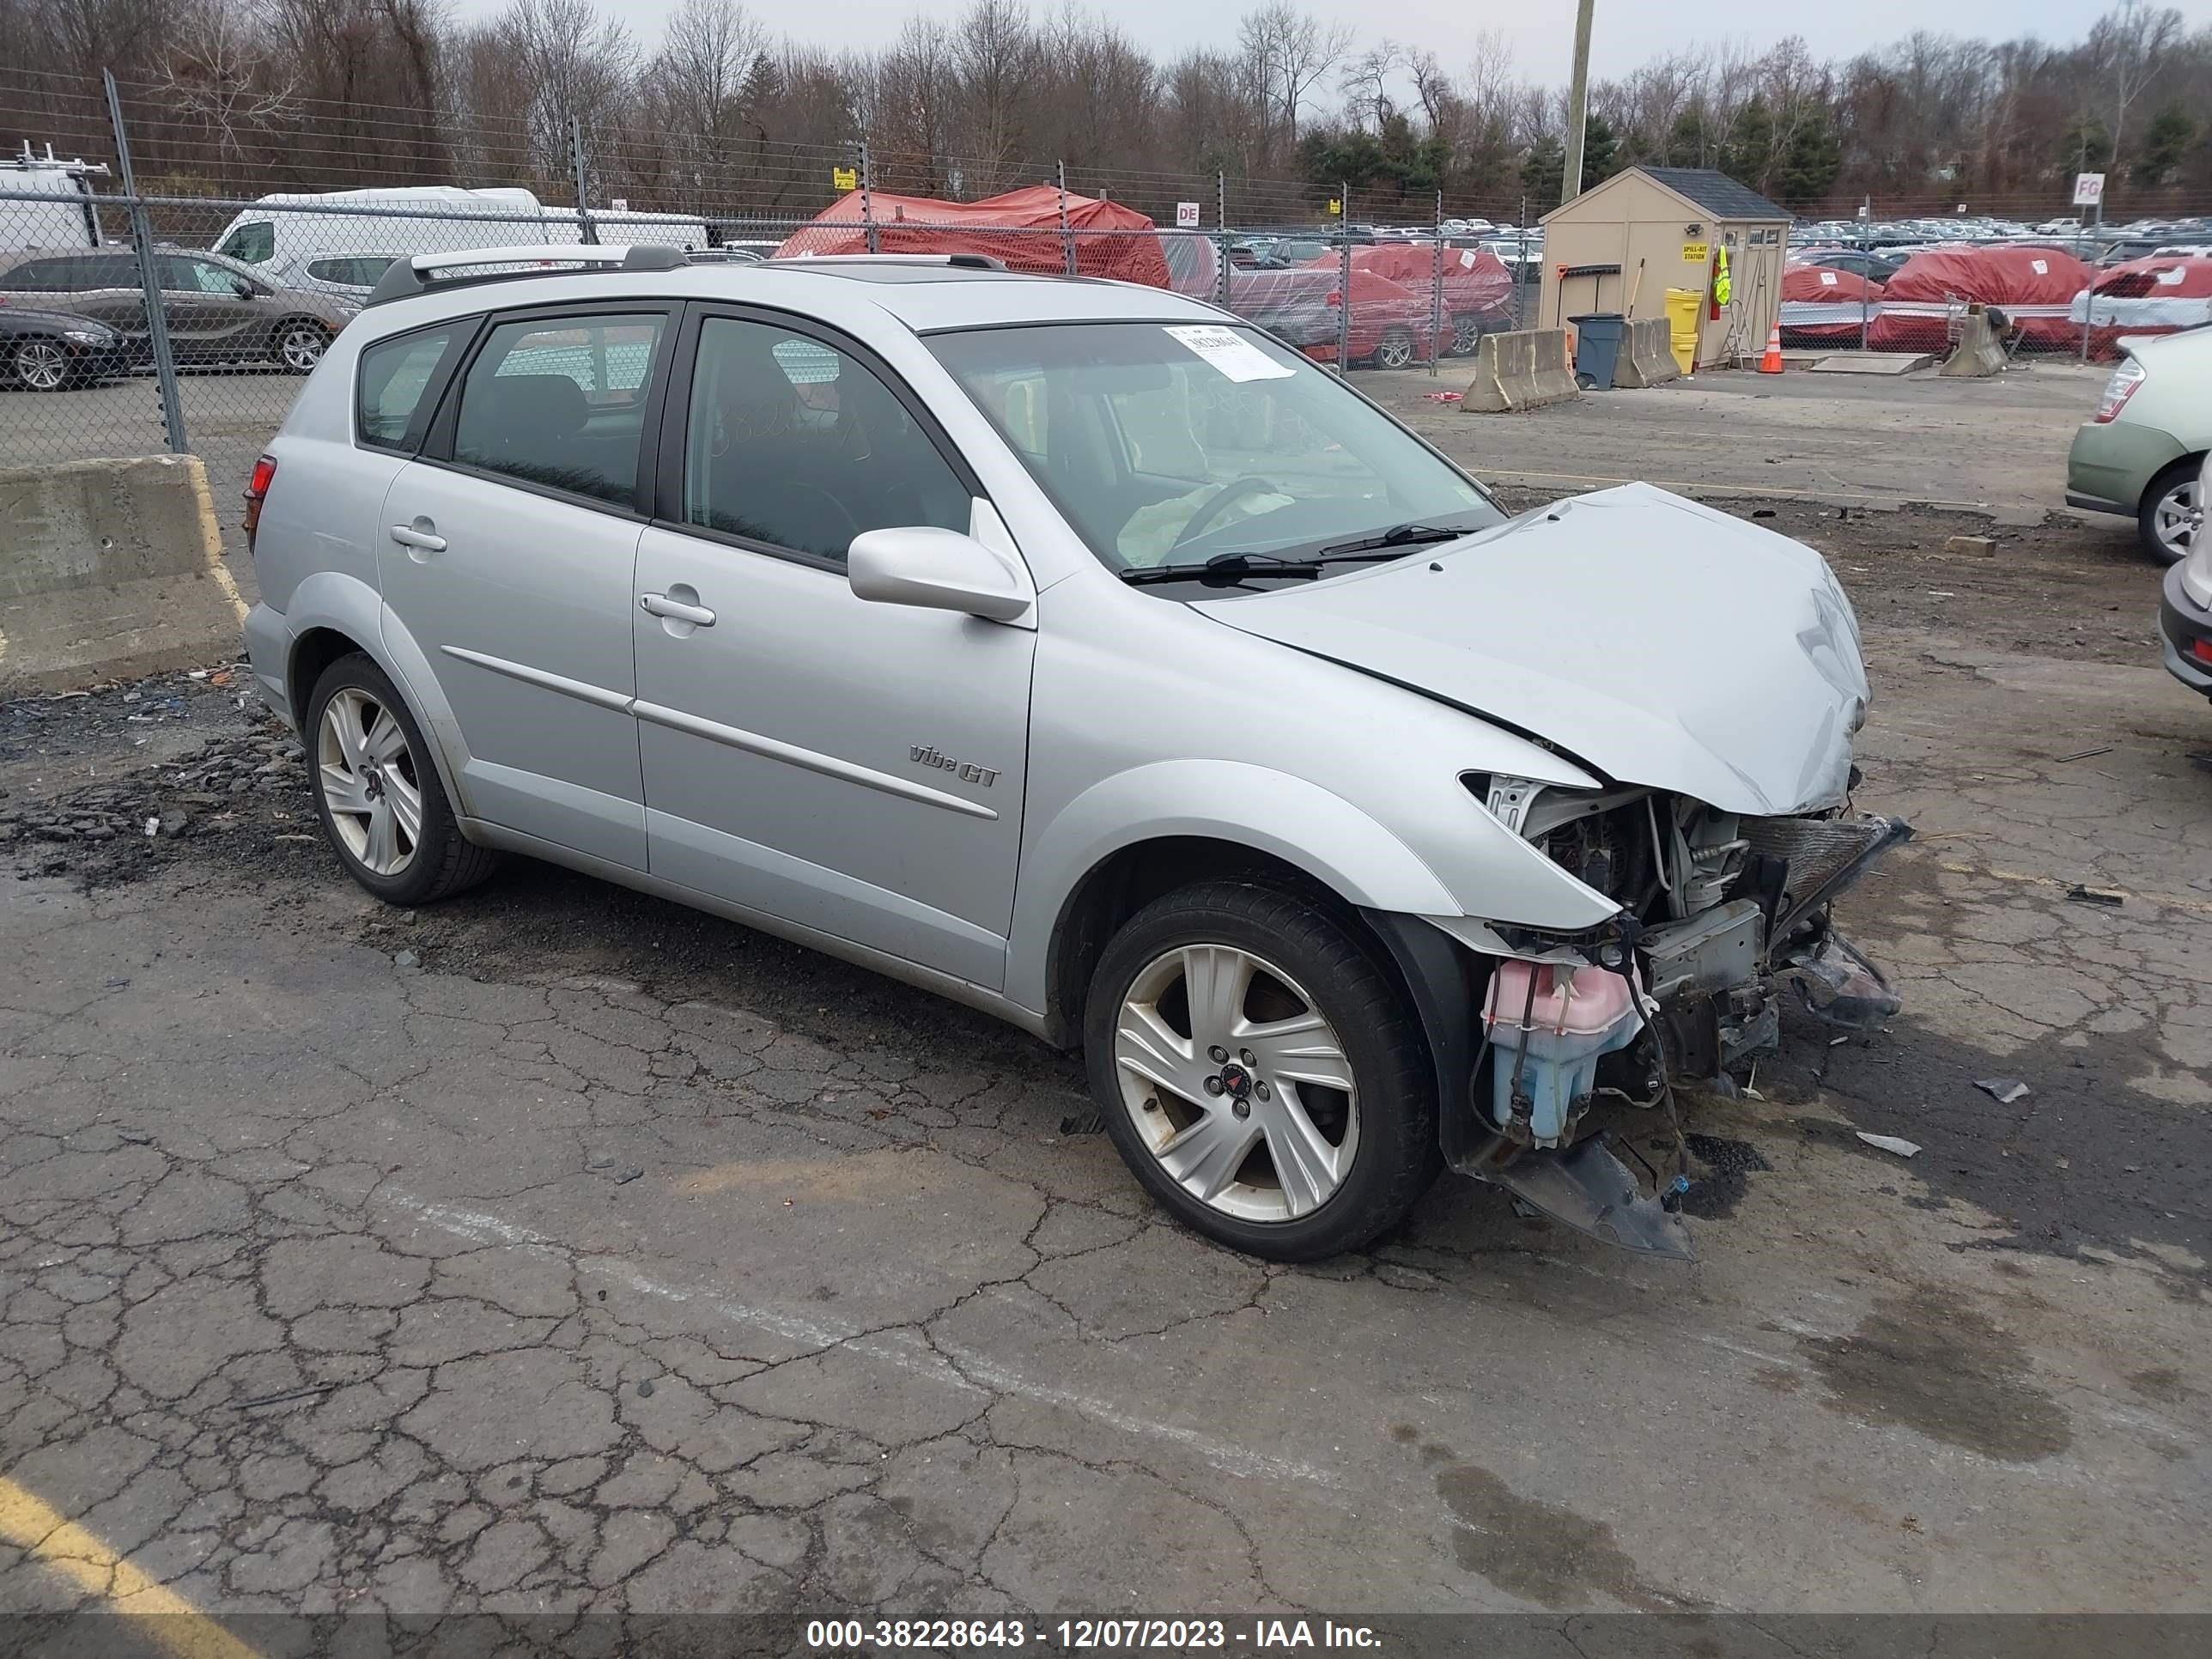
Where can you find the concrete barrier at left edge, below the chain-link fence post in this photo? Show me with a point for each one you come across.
(112, 570)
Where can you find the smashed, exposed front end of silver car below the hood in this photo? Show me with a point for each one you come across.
(1722, 917)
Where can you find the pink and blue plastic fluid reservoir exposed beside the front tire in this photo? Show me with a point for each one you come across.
(1554, 1041)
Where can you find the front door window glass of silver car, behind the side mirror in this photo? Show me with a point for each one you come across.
(800, 446)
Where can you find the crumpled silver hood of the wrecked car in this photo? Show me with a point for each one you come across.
(1653, 638)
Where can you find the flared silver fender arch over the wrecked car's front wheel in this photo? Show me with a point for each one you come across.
(1251, 806)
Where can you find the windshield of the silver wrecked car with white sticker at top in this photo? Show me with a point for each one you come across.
(1171, 444)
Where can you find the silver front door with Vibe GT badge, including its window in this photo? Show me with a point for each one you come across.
(848, 766)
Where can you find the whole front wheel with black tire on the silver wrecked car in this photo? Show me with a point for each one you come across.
(1260, 1072)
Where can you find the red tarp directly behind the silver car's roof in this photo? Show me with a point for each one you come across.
(1019, 227)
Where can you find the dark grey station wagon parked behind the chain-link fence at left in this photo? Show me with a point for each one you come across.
(218, 311)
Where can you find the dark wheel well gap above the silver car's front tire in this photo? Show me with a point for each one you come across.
(1134, 877)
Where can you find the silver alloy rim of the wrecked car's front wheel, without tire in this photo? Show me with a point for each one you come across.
(1238, 1083)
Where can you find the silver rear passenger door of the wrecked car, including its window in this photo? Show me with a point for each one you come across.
(508, 556)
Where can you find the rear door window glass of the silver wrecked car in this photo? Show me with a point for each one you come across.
(561, 404)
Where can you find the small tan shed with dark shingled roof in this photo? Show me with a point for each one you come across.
(1620, 247)
